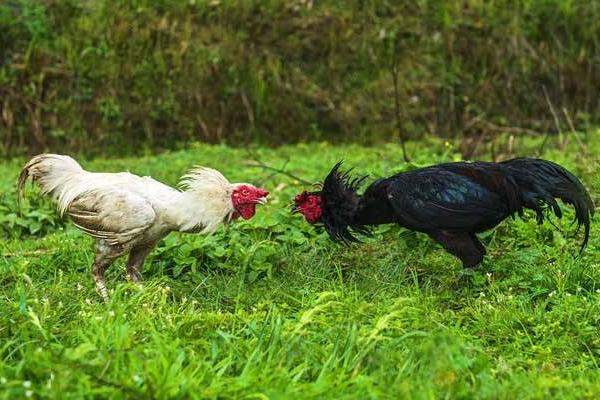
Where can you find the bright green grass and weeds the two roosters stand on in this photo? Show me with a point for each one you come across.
(272, 309)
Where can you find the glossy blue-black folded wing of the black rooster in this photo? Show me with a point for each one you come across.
(437, 199)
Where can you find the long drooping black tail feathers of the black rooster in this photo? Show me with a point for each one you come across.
(541, 182)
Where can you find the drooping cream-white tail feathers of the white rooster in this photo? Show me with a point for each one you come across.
(55, 175)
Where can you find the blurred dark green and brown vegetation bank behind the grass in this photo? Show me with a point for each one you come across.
(120, 76)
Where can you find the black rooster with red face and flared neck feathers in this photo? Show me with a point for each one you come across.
(450, 202)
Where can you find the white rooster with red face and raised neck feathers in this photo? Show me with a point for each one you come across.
(129, 214)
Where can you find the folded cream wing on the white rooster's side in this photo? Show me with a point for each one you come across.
(114, 215)
